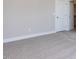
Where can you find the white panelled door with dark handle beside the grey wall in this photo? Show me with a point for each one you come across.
(61, 15)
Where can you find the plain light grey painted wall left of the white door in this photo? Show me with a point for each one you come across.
(27, 17)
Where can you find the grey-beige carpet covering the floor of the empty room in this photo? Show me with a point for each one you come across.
(61, 45)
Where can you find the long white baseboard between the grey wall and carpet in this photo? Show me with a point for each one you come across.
(25, 37)
